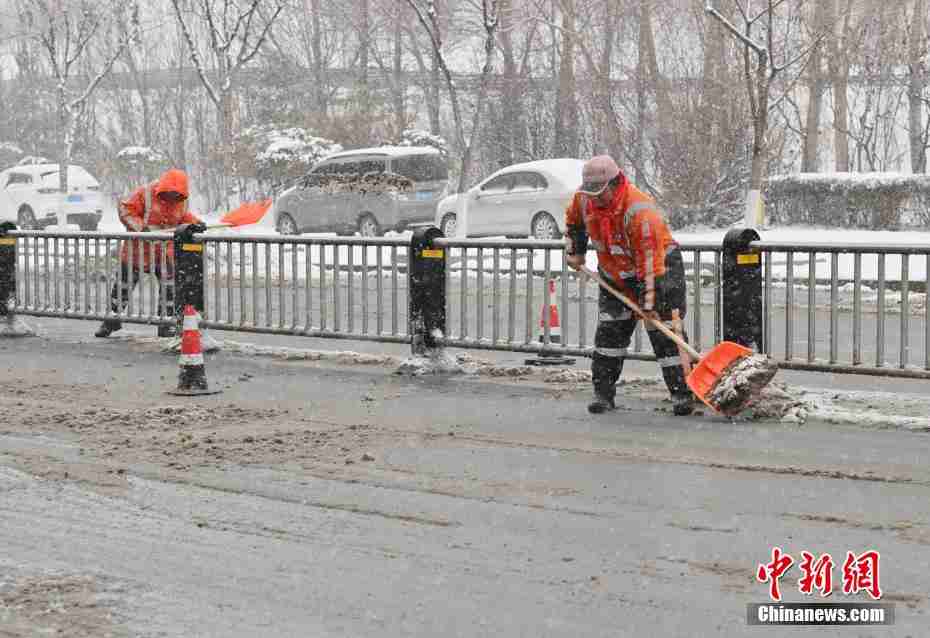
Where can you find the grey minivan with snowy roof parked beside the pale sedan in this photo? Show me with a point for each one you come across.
(367, 190)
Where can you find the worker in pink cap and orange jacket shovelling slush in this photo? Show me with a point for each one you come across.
(638, 256)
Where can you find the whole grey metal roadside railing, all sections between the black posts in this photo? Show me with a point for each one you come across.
(854, 308)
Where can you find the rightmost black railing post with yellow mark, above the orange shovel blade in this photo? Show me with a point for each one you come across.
(742, 289)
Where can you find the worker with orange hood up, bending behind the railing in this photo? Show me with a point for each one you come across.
(160, 205)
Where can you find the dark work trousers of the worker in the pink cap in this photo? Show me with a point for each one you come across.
(616, 324)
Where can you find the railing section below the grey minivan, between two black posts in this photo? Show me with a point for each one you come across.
(337, 287)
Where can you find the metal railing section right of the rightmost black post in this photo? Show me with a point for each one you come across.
(838, 308)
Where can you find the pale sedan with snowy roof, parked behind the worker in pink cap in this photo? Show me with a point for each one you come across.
(522, 200)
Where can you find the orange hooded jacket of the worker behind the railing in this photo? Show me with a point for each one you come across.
(144, 209)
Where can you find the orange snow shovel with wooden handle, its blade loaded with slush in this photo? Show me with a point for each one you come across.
(727, 379)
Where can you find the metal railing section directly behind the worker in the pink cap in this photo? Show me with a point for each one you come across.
(497, 294)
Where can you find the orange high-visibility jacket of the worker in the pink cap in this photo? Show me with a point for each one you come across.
(630, 236)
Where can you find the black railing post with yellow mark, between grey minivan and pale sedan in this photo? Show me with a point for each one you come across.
(426, 276)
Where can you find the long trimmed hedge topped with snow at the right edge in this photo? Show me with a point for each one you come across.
(879, 201)
